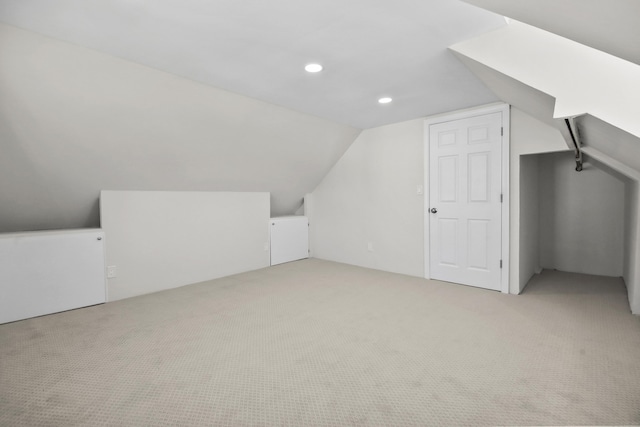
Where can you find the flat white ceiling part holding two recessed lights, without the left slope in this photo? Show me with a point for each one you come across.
(369, 48)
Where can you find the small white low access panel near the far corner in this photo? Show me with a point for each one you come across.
(289, 239)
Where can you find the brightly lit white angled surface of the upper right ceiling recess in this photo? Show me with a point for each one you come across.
(582, 79)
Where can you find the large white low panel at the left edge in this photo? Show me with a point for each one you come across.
(47, 272)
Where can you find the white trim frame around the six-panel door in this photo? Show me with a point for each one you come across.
(464, 114)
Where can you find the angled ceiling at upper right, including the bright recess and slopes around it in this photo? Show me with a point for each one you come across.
(586, 65)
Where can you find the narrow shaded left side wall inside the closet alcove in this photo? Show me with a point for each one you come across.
(529, 219)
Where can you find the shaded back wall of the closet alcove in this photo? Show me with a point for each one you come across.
(581, 218)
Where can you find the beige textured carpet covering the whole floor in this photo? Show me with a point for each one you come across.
(316, 343)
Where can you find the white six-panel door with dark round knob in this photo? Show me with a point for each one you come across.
(465, 175)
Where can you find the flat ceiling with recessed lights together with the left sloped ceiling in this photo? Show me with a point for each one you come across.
(210, 95)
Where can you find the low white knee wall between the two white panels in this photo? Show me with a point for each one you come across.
(160, 240)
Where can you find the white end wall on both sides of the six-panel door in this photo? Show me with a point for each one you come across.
(370, 196)
